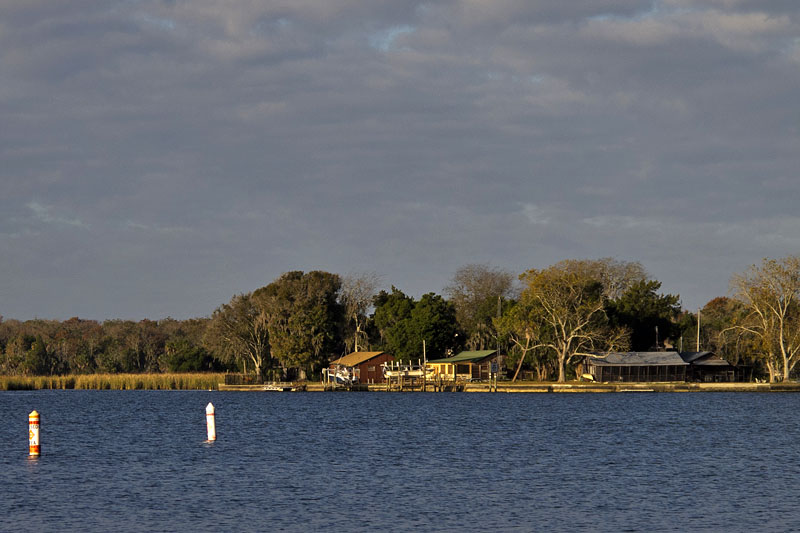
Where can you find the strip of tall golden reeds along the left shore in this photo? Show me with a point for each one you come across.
(114, 382)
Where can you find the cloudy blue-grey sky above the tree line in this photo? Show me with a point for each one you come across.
(158, 157)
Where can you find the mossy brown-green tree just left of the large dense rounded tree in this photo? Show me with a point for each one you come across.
(238, 332)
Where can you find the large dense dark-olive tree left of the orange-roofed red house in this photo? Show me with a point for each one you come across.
(303, 318)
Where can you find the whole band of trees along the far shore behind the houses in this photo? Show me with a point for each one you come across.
(545, 321)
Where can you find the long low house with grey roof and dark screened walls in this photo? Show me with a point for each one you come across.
(636, 366)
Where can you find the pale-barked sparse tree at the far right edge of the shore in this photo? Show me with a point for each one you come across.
(771, 294)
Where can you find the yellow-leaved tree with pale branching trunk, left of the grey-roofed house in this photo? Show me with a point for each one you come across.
(563, 309)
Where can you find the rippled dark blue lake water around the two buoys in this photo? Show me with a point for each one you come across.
(137, 461)
